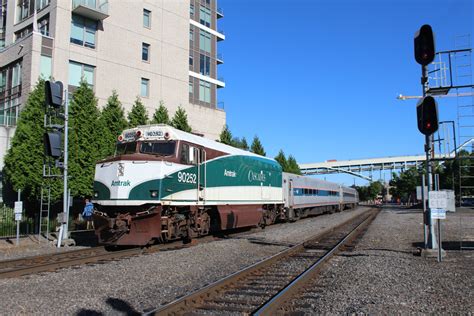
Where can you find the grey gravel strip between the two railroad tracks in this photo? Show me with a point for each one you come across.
(140, 283)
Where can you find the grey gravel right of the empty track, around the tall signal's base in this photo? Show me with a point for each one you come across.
(382, 276)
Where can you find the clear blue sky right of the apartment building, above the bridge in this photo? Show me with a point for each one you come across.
(319, 79)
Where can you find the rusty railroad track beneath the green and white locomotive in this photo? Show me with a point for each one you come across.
(51, 262)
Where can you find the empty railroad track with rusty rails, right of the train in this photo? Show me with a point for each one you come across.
(264, 287)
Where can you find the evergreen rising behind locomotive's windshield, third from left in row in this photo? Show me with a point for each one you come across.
(113, 122)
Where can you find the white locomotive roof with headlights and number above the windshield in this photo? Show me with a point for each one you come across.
(152, 132)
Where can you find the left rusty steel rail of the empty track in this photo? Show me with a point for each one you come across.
(177, 306)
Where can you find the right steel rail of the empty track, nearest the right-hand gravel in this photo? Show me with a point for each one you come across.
(278, 300)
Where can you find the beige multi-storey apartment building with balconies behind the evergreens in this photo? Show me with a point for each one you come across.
(159, 50)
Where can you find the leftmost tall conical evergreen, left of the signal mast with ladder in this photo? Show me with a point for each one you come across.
(23, 163)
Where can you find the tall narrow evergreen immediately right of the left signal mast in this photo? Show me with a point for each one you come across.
(85, 141)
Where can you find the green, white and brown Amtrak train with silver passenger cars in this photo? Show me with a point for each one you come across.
(164, 184)
